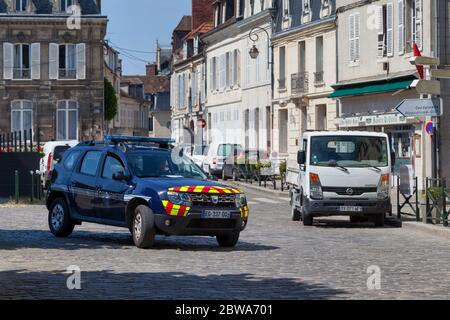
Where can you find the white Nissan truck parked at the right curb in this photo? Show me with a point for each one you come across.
(343, 174)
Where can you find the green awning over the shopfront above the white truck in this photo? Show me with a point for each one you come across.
(372, 87)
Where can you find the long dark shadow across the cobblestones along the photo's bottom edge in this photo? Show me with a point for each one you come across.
(20, 284)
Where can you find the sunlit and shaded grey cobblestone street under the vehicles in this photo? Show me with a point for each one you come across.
(275, 259)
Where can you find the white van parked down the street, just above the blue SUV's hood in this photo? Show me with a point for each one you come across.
(218, 154)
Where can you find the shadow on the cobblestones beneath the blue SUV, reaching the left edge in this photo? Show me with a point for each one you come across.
(39, 239)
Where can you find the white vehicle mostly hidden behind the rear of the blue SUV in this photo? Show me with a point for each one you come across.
(53, 152)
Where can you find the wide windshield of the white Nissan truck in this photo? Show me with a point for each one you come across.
(349, 151)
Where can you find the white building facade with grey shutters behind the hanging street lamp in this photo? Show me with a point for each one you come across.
(239, 93)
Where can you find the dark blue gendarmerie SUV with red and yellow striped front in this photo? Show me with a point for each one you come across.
(142, 184)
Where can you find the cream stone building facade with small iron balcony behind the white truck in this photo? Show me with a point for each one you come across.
(305, 62)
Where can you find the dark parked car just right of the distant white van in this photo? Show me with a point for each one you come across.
(242, 165)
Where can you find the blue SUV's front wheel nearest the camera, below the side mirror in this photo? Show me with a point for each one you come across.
(143, 227)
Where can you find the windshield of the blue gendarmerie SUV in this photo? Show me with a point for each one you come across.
(153, 164)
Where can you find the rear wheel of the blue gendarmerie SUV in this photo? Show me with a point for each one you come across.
(59, 220)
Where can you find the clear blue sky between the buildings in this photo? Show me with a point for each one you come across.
(135, 25)
